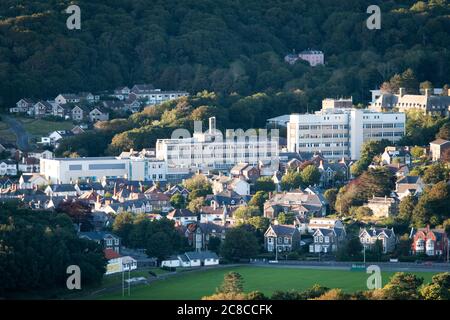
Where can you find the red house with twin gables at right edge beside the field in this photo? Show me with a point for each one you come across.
(432, 242)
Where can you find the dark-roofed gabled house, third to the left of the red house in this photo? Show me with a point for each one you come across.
(281, 238)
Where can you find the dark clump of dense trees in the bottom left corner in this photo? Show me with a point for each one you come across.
(36, 247)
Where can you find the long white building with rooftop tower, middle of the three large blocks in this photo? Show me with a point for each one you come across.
(210, 150)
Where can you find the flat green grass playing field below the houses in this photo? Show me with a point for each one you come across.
(194, 285)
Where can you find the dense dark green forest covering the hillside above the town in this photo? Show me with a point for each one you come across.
(223, 46)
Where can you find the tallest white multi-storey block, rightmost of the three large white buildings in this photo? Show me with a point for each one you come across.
(338, 133)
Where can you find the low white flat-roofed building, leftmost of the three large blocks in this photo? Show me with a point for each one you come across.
(70, 170)
